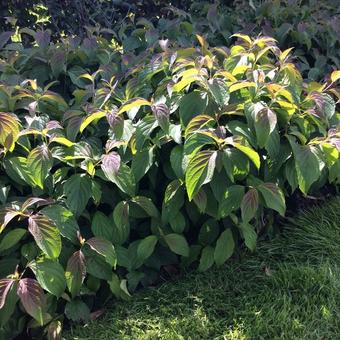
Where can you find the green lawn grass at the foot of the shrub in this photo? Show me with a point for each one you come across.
(288, 289)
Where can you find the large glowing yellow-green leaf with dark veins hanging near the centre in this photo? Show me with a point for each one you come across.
(200, 171)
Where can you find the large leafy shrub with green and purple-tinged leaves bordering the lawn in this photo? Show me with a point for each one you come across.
(114, 167)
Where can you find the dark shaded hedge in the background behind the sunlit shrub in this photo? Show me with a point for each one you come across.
(310, 26)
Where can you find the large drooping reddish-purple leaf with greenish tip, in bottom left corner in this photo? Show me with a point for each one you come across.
(32, 298)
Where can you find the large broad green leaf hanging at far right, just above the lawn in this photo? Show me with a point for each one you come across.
(307, 165)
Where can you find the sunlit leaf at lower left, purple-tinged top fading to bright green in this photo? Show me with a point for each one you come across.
(46, 235)
